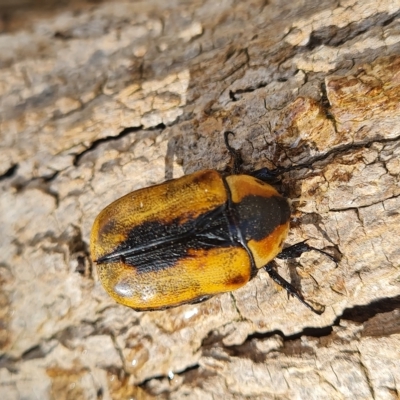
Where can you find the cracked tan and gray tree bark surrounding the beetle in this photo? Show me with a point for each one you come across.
(101, 98)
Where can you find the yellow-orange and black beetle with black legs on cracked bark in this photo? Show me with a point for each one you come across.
(187, 239)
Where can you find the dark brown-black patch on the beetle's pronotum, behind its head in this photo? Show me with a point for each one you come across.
(259, 216)
